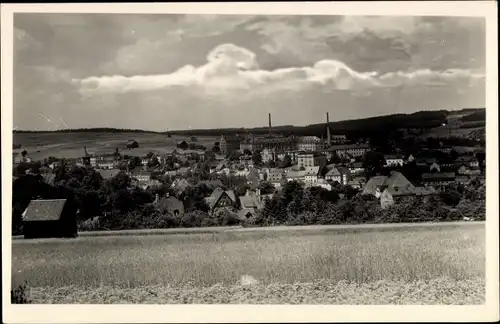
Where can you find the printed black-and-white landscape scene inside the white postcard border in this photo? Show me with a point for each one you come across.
(249, 158)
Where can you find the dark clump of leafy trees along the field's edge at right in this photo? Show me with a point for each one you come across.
(297, 205)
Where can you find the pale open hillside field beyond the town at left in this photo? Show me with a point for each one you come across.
(70, 145)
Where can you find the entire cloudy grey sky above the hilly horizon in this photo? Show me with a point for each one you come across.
(169, 72)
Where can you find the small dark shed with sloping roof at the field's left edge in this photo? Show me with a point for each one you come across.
(50, 218)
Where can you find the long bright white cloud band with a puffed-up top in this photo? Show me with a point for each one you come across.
(230, 67)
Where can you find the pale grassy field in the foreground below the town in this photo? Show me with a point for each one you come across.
(426, 265)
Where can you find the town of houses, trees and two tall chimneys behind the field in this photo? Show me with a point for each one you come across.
(247, 179)
